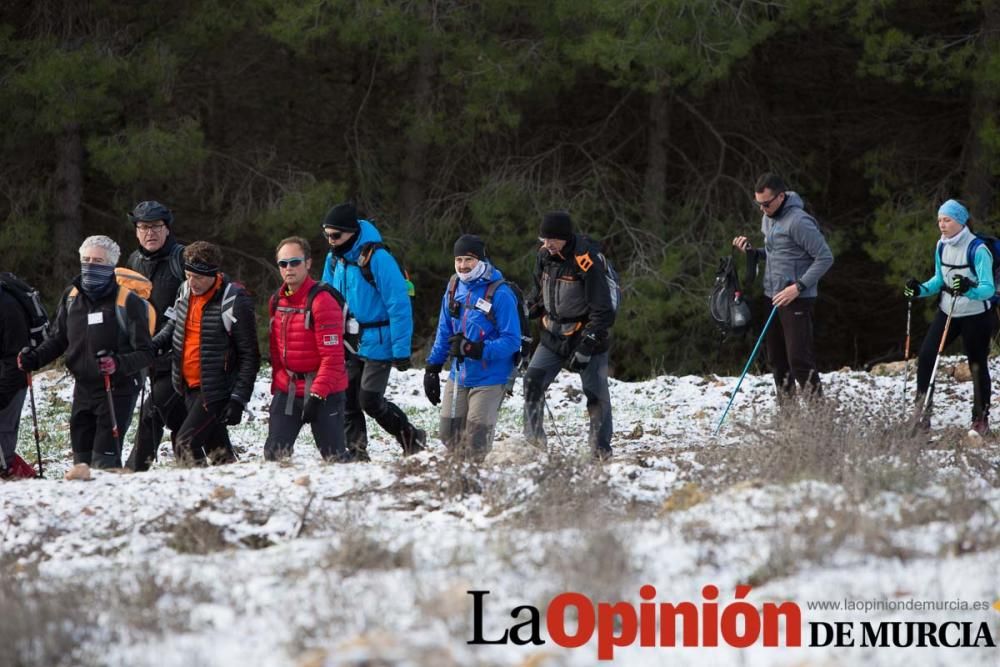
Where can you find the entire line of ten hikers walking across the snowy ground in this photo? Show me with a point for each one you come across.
(175, 316)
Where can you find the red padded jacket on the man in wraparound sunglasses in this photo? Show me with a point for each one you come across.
(296, 349)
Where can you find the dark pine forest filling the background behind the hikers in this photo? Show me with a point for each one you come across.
(648, 120)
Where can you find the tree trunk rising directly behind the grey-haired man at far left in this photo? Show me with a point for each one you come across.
(68, 226)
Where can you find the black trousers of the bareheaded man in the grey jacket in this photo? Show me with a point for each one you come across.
(789, 345)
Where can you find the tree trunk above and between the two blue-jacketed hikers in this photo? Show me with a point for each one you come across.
(413, 170)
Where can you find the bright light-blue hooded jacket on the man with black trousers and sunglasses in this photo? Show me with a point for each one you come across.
(388, 301)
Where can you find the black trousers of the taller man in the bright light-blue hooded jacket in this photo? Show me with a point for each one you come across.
(367, 380)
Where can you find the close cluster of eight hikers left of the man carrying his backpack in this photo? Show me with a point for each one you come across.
(175, 318)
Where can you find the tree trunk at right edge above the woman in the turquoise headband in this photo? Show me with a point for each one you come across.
(978, 188)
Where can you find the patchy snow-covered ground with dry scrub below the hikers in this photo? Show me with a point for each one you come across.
(360, 564)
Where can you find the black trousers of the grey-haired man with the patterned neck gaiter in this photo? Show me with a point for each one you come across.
(91, 431)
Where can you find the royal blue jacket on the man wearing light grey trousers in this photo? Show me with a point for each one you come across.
(502, 340)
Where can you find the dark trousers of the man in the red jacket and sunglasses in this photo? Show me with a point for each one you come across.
(328, 427)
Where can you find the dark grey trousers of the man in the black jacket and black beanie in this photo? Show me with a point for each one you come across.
(545, 365)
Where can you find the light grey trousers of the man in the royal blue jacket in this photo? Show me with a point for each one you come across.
(469, 417)
